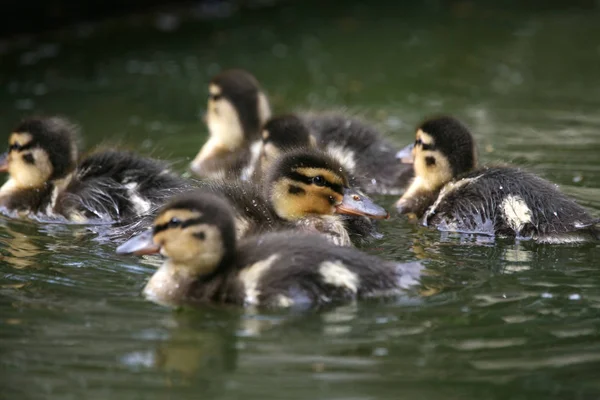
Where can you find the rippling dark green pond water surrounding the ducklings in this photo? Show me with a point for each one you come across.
(493, 319)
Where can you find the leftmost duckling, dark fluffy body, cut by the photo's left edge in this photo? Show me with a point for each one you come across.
(46, 180)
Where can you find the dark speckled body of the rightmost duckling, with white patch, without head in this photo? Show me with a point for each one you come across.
(510, 202)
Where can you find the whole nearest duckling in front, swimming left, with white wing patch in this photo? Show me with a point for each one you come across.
(206, 264)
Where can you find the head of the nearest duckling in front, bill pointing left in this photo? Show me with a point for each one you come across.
(195, 231)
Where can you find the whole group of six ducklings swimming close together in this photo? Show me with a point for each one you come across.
(281, 200)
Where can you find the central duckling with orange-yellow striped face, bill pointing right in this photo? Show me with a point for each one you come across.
(306, 189)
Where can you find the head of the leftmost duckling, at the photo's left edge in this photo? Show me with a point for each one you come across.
(40, 149)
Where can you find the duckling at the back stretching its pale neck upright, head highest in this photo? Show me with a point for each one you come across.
(237, 108)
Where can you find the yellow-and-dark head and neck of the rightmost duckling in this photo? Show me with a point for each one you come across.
(443, 149)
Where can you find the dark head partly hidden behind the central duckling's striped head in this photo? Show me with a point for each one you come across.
(280, 134)
